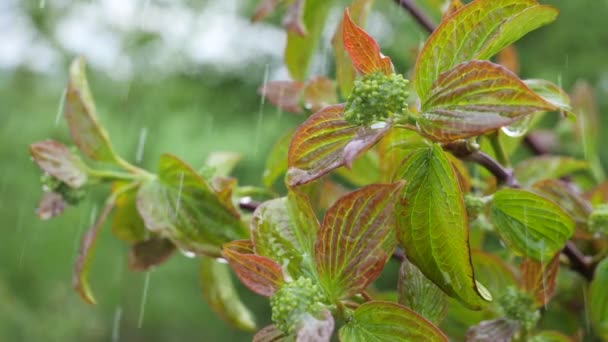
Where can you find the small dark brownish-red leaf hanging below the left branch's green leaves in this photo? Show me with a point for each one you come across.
(149, 253)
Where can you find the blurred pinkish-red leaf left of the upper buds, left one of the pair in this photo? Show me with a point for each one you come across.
(284, 94)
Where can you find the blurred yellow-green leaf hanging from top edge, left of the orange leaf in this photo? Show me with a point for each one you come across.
(300, 49)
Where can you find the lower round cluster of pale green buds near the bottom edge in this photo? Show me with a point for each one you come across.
(294, 301)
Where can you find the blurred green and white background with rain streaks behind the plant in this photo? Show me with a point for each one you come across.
(179, 77)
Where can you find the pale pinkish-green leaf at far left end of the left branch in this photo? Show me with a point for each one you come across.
(58, 161)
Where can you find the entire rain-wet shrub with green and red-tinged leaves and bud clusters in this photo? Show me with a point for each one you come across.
(390, 170)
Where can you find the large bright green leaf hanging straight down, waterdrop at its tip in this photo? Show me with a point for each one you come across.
(432, 224)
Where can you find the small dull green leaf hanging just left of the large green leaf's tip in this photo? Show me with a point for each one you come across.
(418, 293)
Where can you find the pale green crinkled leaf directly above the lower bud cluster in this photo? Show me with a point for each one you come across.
(277, 236)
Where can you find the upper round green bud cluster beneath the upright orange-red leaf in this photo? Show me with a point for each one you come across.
(376, 97)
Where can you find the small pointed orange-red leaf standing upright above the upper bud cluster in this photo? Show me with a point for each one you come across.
(363, 49)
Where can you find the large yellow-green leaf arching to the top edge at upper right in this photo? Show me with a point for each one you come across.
(478, 31)
